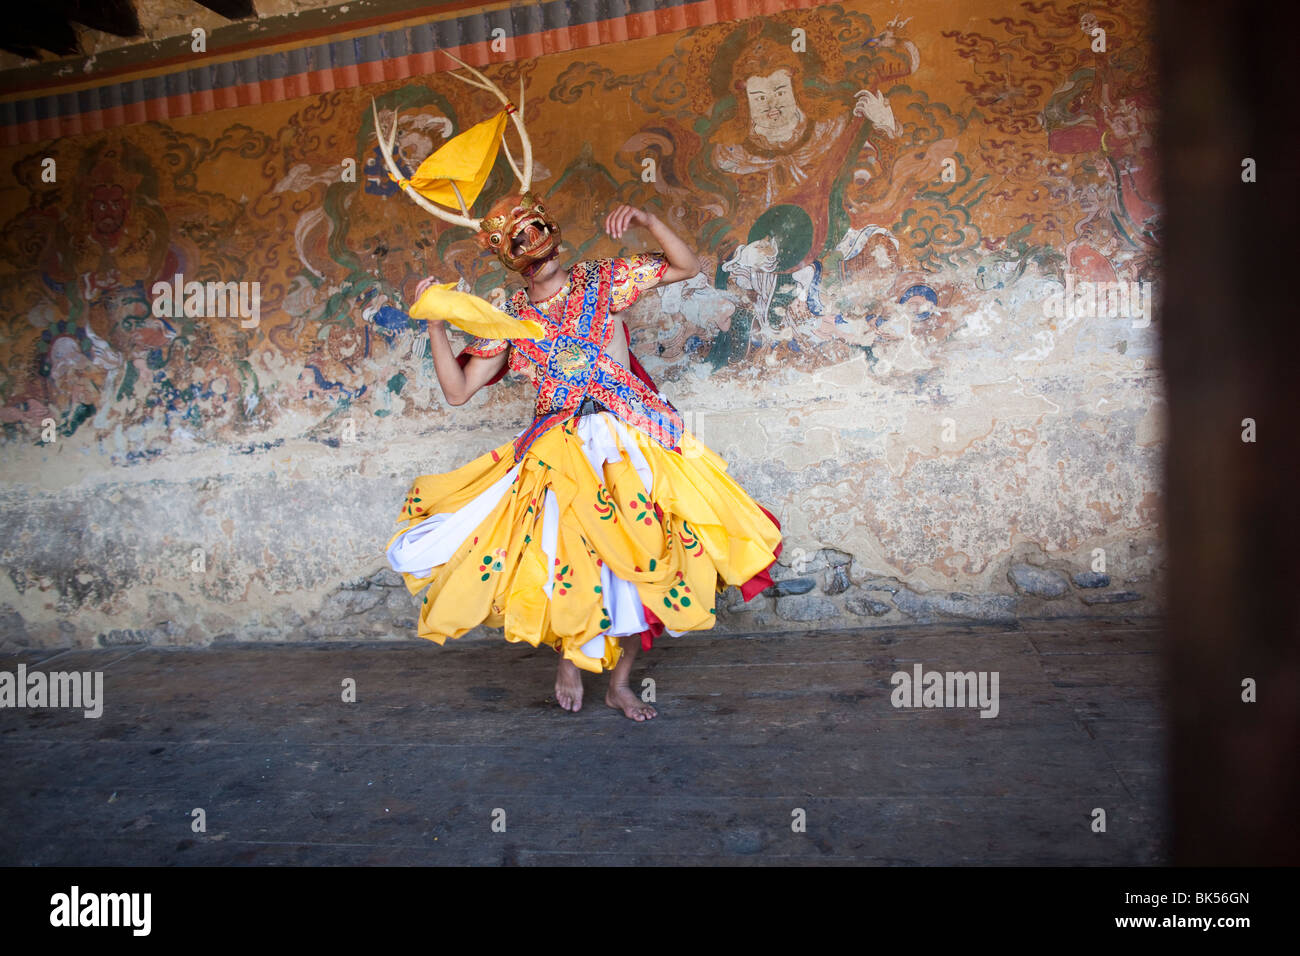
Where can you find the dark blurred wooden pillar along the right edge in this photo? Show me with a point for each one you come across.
(1232, 352)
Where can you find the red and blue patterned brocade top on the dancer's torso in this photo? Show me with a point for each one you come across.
(573, 364)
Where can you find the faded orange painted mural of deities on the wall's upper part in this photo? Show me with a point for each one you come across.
(804, 154)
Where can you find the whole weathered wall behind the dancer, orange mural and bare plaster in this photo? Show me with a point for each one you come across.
(881, 344)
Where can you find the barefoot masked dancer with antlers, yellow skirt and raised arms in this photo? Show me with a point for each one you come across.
(605, 522)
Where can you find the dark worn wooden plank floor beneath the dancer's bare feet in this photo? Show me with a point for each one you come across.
(440, 741)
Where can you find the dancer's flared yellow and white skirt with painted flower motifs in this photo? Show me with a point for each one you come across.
(597, 533)
